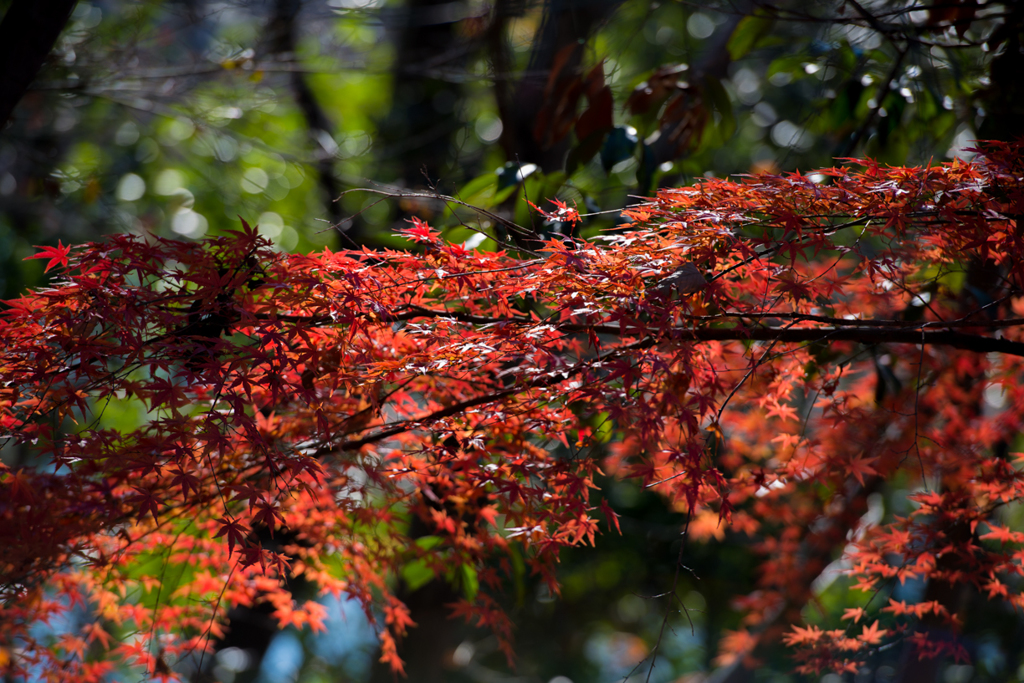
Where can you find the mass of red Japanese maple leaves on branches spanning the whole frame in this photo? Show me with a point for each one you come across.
(765, 353)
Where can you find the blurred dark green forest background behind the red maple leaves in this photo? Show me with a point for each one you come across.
(178, 118)
